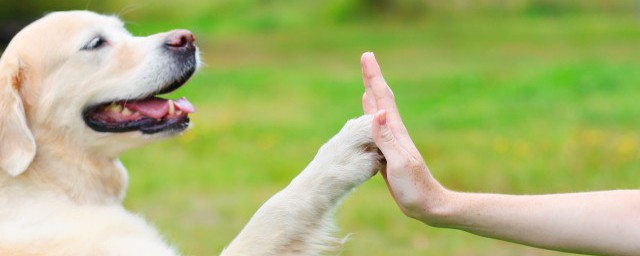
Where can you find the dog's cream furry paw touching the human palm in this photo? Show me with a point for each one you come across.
(352, 157)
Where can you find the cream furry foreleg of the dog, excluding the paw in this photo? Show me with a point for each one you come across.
(290, 222)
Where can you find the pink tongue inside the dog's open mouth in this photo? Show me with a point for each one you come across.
(159, 108)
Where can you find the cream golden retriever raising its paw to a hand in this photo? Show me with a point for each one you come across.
(76, 90)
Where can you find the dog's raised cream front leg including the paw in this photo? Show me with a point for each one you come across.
(297, 220)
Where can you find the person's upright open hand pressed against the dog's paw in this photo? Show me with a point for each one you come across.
(407, 176)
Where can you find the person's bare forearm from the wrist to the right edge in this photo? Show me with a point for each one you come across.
(605, 223)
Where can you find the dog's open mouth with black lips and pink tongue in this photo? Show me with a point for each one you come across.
(149, 114)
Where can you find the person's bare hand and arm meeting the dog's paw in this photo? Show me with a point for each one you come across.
(597, 223)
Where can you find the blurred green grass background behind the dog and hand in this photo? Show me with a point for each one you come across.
(519, 97)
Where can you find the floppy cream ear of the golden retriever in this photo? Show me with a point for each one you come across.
(17, 146)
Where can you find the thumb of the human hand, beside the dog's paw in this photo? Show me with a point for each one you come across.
(384, 137)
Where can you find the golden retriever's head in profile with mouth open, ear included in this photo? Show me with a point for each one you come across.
(81, 80)
